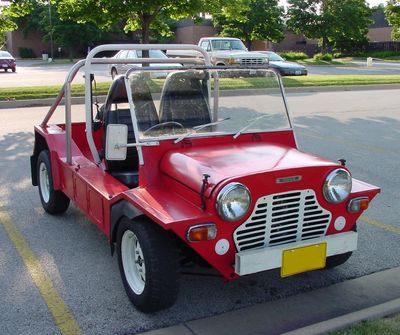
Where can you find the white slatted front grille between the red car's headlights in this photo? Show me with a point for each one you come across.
(283, 218)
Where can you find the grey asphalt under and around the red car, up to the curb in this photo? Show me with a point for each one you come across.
(362, 127)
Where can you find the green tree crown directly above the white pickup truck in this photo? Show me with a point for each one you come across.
(251, 20)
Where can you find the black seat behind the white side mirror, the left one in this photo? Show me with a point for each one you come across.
(126, 171)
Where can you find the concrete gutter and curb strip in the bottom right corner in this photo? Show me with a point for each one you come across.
(317, 312)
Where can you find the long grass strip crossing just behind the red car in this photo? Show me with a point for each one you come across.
(37, 92)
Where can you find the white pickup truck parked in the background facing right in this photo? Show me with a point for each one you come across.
(224, 51)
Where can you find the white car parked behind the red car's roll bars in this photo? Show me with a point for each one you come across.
(116, 69)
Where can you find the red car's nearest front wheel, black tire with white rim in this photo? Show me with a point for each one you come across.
(157, 258)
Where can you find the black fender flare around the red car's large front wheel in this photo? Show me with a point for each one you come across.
(118, 211)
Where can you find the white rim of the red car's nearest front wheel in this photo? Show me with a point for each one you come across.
(133, 262)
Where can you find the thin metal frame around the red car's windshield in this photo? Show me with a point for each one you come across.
(216, 89)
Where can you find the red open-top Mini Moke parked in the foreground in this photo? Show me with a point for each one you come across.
(197, 163)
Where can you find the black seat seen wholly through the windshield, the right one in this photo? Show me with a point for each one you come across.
(184, 99)
